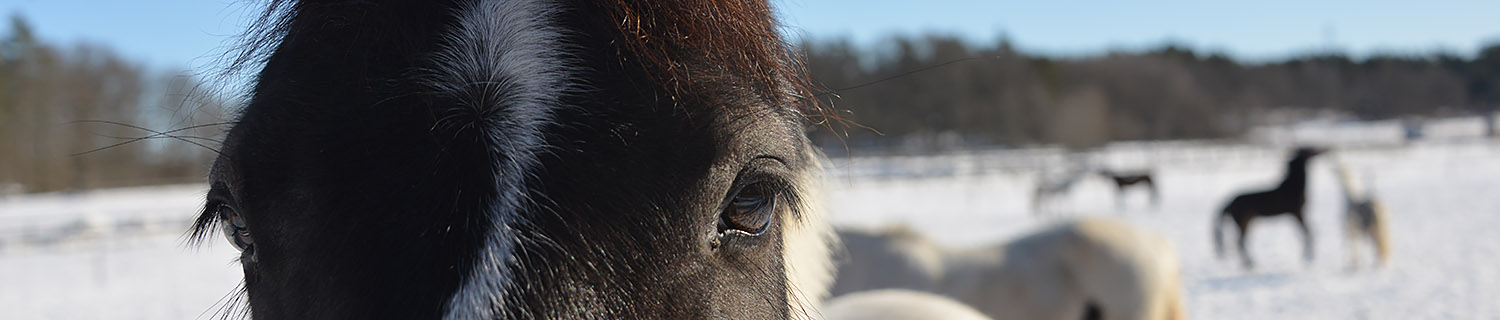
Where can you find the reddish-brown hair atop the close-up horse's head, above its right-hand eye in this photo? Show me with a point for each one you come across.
(677, 38)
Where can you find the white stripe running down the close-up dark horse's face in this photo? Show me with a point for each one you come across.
(505, 59)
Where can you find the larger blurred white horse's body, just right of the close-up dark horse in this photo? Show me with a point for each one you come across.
(1090, 268)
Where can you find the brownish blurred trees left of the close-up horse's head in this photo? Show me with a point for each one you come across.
(61, 104)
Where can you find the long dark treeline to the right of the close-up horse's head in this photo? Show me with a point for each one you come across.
(995, 95)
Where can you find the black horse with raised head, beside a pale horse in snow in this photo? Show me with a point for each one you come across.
(1286, 199)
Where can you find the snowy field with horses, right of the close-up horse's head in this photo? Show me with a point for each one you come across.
(1442, 201)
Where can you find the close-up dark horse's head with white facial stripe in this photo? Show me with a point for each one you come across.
(523, 160)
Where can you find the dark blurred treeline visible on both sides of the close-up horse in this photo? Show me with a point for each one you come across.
(59, 104)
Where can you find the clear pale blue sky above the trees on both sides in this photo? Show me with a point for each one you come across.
(190, 34)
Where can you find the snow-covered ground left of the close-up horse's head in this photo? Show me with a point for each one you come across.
(110, 255)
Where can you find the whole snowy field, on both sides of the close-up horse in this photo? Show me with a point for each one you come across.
(122, 255)
